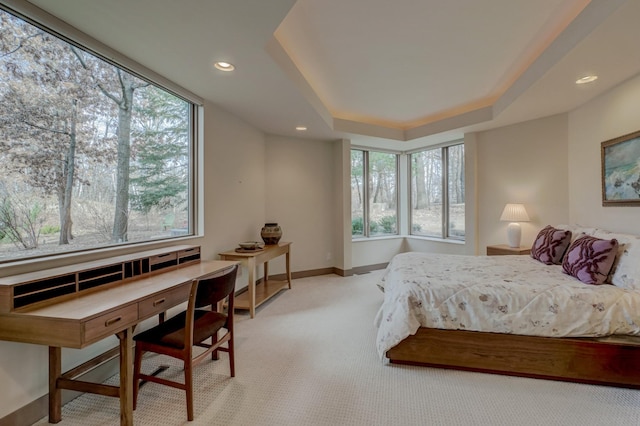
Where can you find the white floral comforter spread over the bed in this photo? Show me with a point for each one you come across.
(502, 294)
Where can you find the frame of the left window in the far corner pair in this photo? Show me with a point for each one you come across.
(366, 234)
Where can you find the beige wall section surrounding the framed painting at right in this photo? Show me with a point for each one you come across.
(614, 114)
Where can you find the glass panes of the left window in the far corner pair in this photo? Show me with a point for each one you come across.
(374, 196)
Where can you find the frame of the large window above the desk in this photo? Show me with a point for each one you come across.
(69, 34)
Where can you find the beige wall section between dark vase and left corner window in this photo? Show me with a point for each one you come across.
(300, 197)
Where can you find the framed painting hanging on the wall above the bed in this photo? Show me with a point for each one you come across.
(621, 170)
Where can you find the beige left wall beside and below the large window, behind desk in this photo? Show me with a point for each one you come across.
(234, 210)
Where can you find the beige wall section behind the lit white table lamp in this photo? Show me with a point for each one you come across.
(523, 163)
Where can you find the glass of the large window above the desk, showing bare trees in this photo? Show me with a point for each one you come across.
(91, 155)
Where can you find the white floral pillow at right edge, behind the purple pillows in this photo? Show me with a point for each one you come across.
(625, 272)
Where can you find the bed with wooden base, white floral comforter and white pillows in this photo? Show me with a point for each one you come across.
(515, 315)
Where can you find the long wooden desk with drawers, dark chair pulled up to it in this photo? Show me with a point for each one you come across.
(87, 317)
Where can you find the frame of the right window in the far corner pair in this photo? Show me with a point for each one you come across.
(445, 214)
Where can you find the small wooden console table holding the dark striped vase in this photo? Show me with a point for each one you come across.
(257, 295)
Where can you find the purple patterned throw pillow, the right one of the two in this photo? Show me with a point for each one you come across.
(590, 259)
